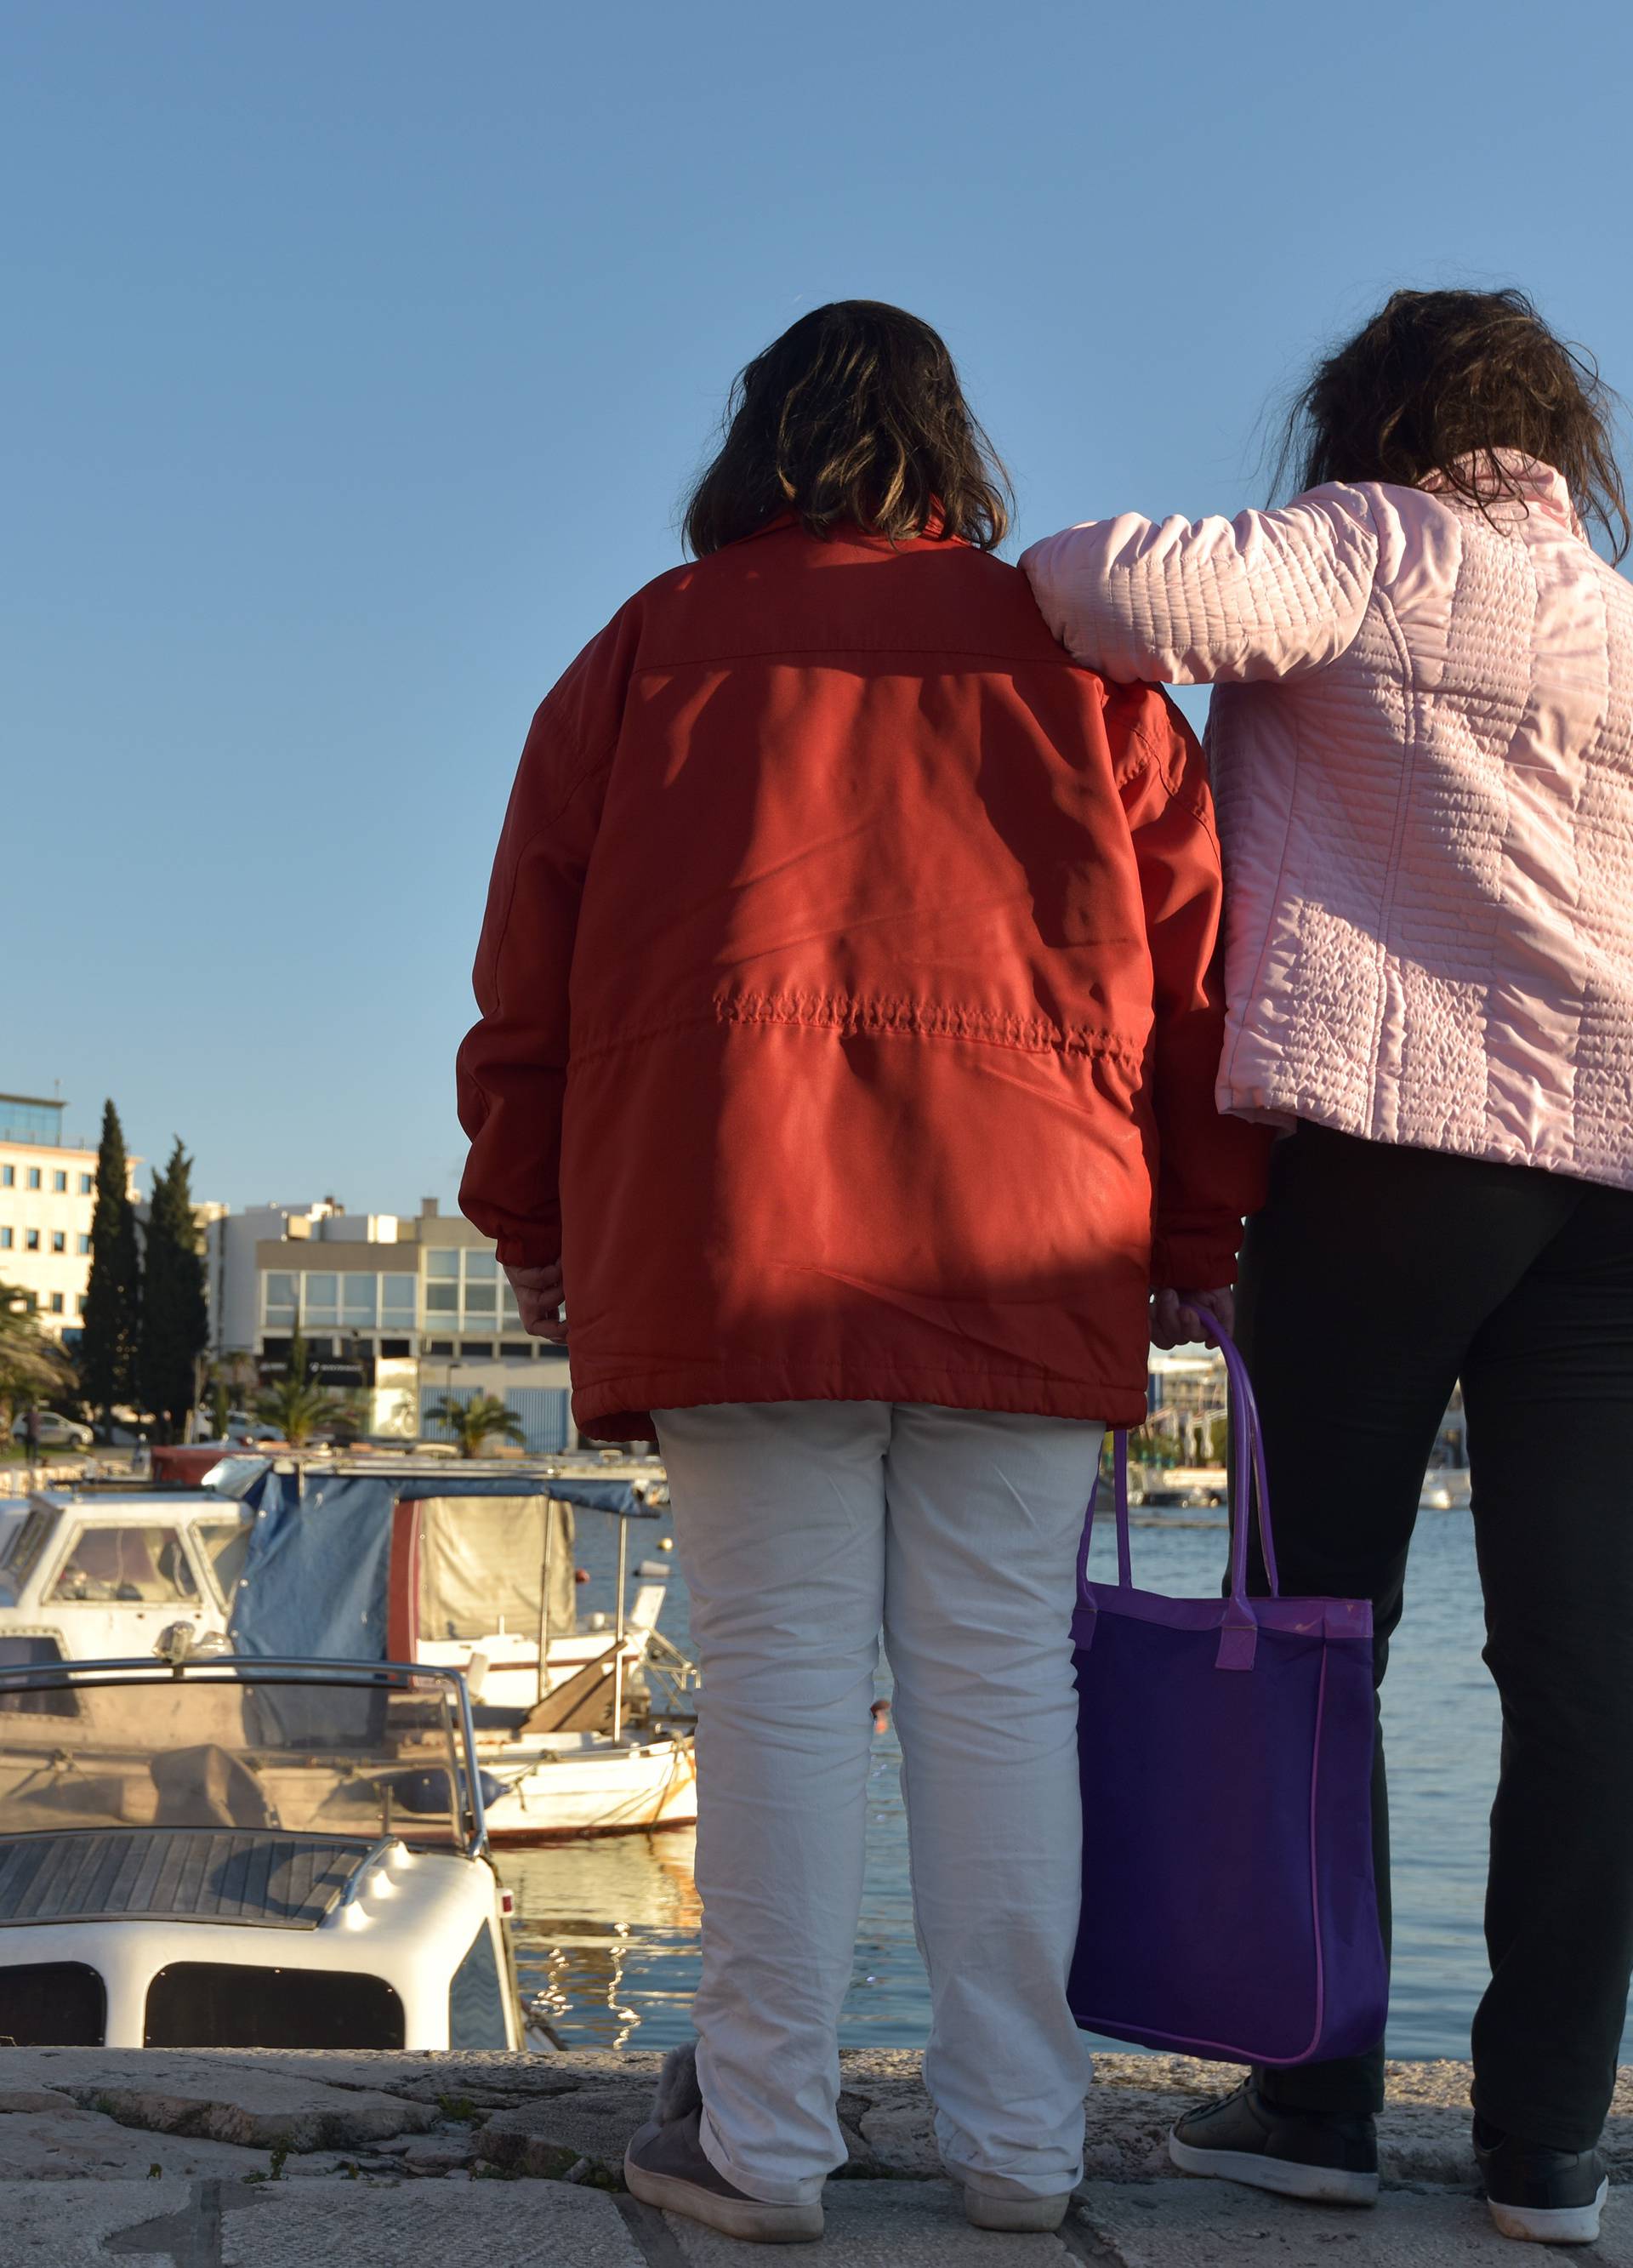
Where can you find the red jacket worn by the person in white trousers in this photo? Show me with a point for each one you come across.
(849, 1015)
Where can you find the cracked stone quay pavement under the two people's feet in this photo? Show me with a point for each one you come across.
(251, 2160)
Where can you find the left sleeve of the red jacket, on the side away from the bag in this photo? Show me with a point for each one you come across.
(514, 1063)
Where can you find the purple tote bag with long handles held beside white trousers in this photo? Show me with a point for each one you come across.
(1226, 1752)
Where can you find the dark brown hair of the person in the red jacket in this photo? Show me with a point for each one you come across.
(854, 416)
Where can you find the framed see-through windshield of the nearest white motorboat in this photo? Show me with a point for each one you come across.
(237, 1745)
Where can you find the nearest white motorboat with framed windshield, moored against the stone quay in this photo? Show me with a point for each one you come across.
(248, 1854)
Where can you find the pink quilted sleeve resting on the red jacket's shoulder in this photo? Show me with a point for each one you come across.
(1210, 602)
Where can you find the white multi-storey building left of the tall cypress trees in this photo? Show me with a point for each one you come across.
(46, 1203)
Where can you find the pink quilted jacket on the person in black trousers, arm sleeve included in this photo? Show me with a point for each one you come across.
(1423, 754)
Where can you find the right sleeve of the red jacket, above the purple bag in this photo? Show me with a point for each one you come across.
(1210, 1169)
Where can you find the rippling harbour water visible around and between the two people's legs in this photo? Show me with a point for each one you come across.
(607, 1931)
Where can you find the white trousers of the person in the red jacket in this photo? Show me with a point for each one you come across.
(806, 1530)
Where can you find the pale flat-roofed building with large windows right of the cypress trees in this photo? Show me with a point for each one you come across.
(407, 1310)
